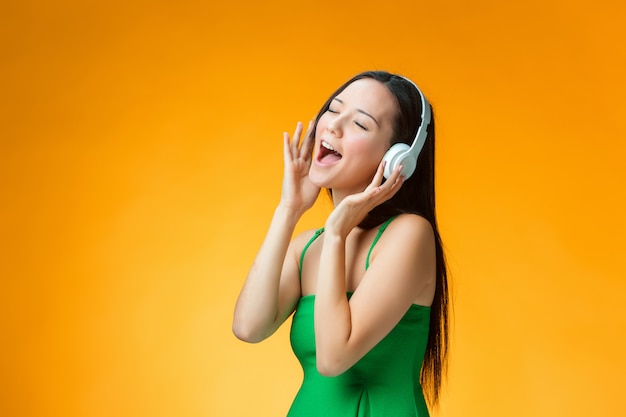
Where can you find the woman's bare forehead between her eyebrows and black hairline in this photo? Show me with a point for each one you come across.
(371, 96)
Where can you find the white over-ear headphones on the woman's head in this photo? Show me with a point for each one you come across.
(403, 154)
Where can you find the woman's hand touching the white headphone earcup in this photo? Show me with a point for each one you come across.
(352, 209)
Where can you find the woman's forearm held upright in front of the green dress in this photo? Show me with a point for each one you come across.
(333, 322)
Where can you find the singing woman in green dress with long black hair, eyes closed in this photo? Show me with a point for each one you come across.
(369, 290)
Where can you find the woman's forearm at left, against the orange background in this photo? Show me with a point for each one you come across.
(257, 308)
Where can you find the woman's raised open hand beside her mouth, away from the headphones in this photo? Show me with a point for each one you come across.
(298, 193)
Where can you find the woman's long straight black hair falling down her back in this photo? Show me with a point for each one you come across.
(417, 195)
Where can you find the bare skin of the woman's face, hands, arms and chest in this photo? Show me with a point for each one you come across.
(402, 264)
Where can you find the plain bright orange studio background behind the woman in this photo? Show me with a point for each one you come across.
(140, 150)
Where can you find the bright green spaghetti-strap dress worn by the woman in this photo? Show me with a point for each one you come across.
(384, 383)
